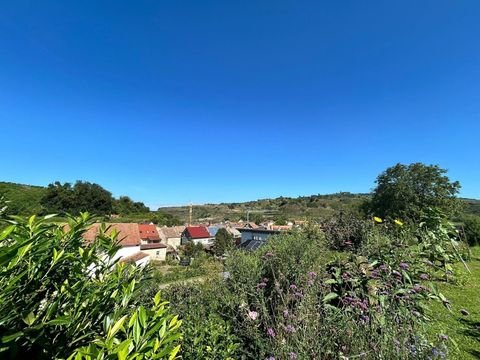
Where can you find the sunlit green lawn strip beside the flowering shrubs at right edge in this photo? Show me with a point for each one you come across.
(464, 331)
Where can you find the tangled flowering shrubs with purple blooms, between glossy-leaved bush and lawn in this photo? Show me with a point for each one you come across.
(359, 291)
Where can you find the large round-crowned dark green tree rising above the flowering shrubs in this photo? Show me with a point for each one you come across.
(408, 191)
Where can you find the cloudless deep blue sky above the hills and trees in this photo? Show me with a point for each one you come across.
(173, 101)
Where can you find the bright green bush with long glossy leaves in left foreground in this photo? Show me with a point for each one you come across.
(62, 297)
